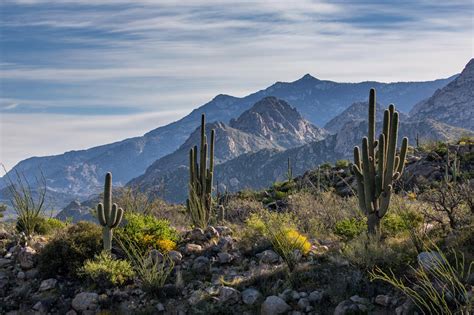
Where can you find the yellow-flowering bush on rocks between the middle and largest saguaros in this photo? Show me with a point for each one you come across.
(280, 230)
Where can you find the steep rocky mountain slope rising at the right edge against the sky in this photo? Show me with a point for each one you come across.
(453, 104)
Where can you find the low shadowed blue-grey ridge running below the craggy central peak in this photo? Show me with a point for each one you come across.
(260, 169)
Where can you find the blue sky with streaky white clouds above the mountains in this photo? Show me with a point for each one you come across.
(75, 74)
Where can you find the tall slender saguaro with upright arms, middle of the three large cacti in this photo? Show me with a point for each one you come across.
(199, 203)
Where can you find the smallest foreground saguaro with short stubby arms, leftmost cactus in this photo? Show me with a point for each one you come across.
(109, 215)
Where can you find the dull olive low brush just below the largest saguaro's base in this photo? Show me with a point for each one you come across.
(367, 251)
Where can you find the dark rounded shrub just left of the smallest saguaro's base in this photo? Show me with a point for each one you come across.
(69, 249)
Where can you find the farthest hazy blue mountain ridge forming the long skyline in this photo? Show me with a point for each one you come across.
(77, 174)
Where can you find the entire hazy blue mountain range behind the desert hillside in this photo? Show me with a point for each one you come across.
(260, 133)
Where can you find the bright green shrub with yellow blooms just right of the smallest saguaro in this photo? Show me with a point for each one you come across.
(148, 231)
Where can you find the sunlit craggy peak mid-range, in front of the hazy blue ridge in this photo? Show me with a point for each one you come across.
(270, 124)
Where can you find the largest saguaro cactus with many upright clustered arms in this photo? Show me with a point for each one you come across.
(377, 165)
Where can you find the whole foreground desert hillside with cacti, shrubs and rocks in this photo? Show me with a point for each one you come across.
(388, 244)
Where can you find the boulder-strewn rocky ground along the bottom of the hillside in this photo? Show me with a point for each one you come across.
(212, 275)
